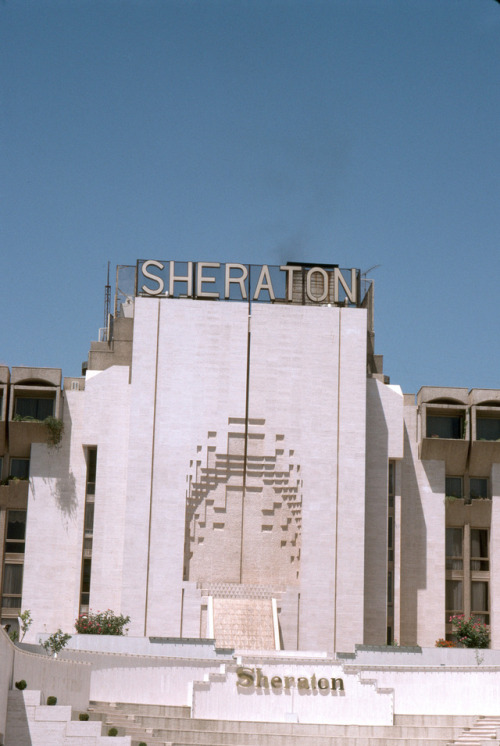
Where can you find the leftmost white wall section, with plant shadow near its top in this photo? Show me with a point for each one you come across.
(54, 529)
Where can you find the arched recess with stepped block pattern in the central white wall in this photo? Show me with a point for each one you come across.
(243, 508)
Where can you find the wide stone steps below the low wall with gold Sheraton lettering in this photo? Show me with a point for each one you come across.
(172, 726)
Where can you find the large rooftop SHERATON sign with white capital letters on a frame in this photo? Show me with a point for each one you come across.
(289, 283)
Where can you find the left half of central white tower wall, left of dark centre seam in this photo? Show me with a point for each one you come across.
(188, 377)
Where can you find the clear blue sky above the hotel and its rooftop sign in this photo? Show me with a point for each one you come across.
(355, 132)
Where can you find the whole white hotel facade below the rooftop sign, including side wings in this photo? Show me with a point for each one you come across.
(246, 453)
